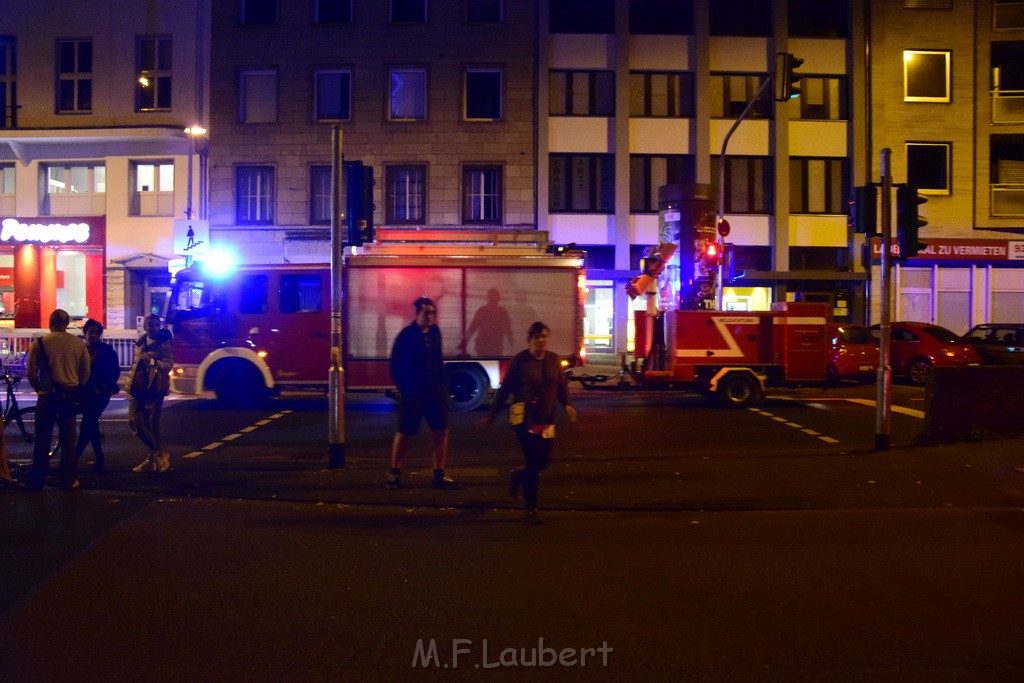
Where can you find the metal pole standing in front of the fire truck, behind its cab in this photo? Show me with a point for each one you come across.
(336, 385)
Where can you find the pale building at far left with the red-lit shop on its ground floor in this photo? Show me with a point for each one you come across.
(95, 101)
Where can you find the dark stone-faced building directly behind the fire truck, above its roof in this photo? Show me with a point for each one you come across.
(437, 98)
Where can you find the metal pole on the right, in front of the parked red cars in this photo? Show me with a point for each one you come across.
(883, 415)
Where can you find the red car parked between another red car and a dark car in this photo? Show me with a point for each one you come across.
(918, 347)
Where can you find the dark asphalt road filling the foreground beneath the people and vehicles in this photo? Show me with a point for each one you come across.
(680, 543)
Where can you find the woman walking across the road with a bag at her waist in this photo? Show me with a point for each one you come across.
(537, 381)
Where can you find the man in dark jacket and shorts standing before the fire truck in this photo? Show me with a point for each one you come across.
(418, 372)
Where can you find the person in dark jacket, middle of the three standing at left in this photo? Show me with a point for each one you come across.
(103, 383)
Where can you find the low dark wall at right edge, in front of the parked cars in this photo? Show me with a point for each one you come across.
(974, 404)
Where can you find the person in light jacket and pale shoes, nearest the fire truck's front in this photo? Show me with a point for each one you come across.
(150, 382)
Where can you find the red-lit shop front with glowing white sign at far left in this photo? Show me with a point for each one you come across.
(50, 263)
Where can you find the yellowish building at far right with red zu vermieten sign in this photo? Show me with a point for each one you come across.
(948, 99)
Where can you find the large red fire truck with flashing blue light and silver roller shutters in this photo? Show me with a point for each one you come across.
(261, 330)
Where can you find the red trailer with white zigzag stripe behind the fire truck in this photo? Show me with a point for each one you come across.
(734, 356)
